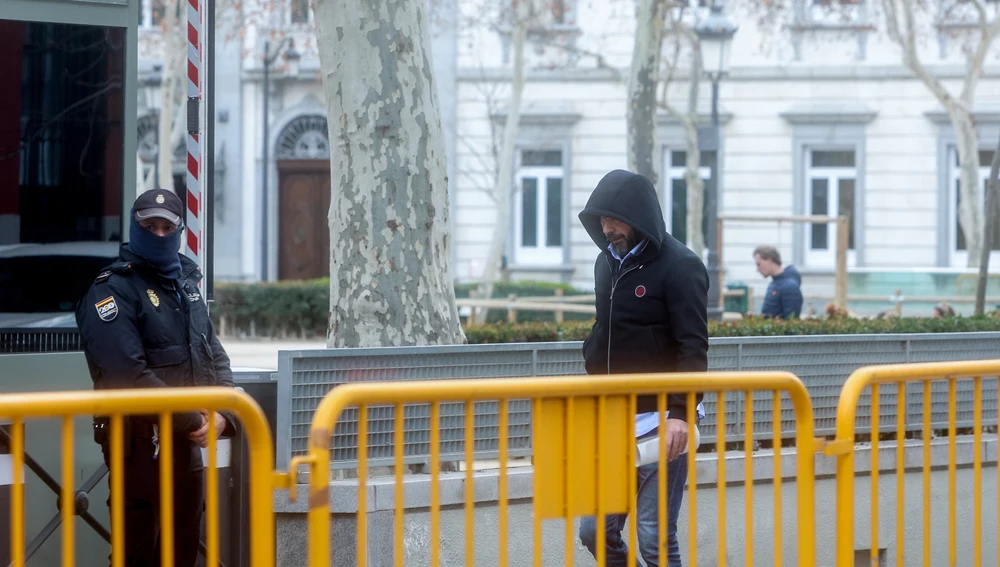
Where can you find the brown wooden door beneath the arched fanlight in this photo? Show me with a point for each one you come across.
(304, 232)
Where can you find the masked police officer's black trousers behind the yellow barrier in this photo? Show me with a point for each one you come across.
(142, 506)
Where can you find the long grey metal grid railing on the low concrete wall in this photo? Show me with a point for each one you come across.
(822, 362)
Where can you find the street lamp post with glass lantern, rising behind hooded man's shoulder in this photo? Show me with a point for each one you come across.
(715, 34)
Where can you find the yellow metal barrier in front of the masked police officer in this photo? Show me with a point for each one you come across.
(164, 402)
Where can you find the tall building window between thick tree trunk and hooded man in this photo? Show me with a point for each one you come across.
(538, 208)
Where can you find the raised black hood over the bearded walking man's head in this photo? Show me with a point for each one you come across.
(630, 198)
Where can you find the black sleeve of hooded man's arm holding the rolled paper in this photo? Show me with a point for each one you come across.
(687, 308)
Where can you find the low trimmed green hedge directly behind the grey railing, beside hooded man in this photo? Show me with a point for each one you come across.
(750, 327)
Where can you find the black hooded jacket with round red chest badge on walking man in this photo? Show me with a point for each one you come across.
(652, 314)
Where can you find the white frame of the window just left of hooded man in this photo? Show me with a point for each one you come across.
(542, 254)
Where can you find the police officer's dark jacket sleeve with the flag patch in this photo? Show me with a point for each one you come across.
(114, 346)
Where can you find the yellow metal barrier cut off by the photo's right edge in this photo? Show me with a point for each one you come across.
(844, 449)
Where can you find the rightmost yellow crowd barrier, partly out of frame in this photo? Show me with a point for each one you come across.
(888, 394)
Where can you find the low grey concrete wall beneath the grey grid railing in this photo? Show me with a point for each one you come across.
(417, 541)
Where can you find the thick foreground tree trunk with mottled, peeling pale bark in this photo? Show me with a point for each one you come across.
(390, 274)
